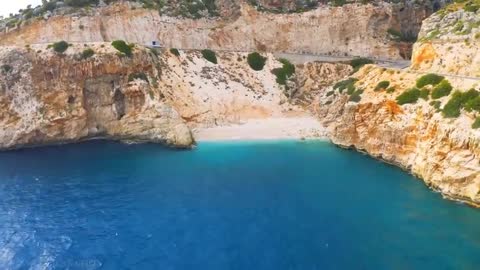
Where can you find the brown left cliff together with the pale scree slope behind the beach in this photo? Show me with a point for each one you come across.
(155, 95)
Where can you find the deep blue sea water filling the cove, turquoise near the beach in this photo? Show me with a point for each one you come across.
(274, 205)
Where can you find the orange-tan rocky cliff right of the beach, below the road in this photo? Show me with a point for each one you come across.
(445, 152)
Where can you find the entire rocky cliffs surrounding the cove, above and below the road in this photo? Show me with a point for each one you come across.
(164, 95)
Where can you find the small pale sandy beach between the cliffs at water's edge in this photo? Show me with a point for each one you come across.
(264, 129)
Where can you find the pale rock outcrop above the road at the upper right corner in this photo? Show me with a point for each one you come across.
(449, 42)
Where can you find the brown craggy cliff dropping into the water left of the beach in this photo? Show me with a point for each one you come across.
(48, 98)
